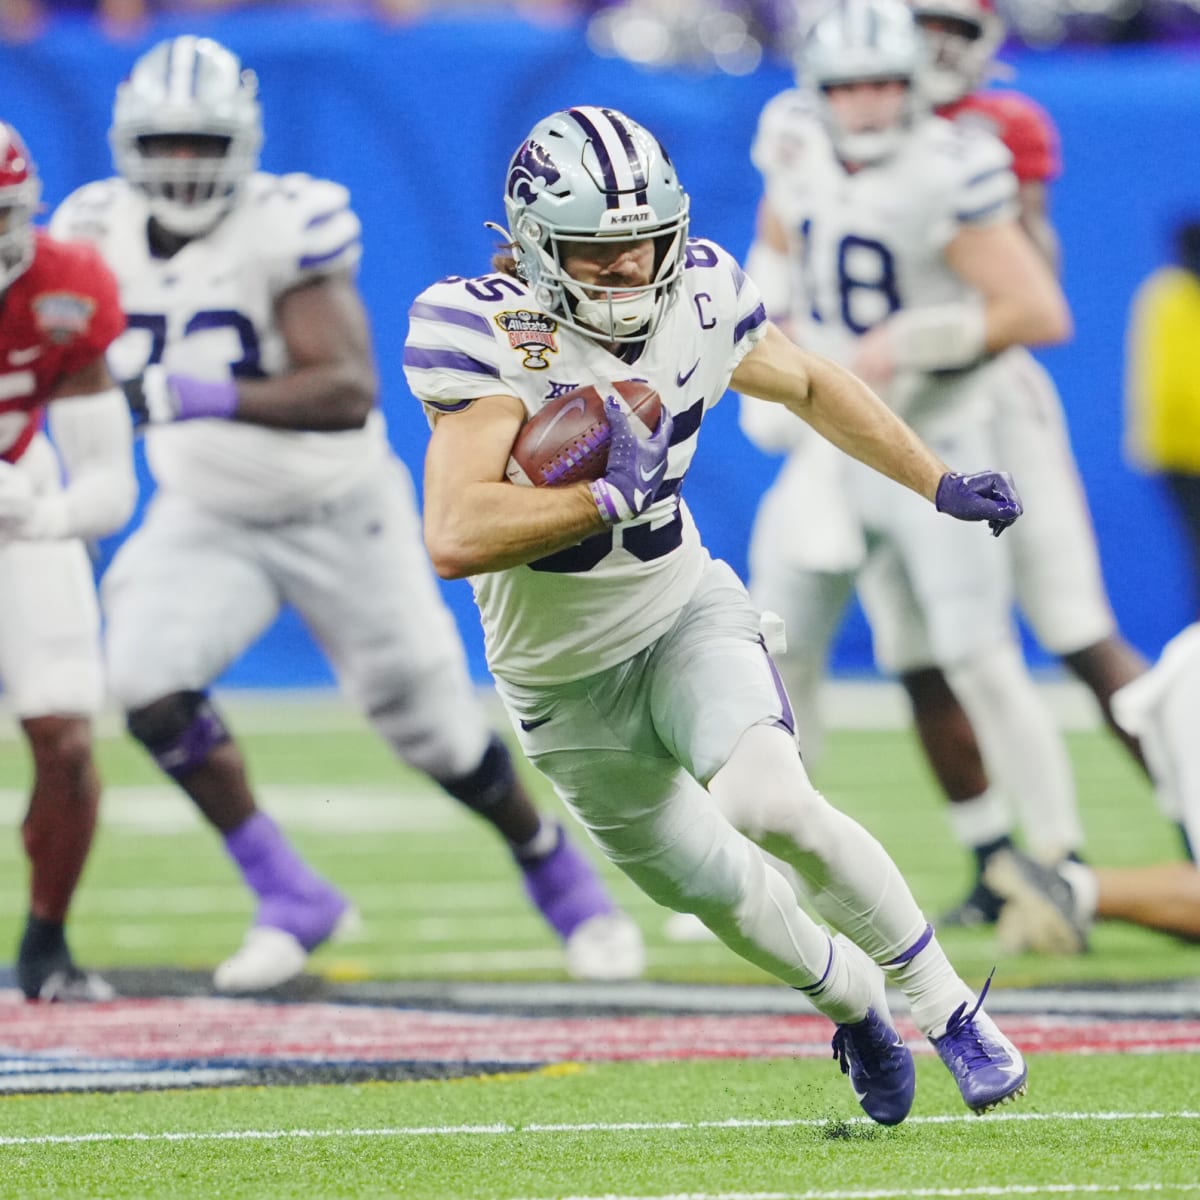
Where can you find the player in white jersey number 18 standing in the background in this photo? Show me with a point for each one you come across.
(891, 238)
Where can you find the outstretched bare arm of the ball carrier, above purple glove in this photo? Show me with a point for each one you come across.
(842, 409)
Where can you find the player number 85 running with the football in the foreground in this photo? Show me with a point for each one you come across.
(631, 661)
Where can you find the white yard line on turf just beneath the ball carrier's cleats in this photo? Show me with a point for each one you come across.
(506, 1130)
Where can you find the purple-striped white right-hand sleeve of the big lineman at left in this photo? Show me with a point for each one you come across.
(308, 231)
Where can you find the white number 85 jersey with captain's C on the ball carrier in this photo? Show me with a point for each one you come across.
(593, 605)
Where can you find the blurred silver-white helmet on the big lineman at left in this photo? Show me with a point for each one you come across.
(188, 87)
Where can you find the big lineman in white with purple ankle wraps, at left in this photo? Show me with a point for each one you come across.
(277, 487)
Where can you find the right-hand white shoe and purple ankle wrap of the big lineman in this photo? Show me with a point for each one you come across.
(602, 943)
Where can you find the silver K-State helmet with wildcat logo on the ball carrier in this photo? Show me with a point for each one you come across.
(589, 173)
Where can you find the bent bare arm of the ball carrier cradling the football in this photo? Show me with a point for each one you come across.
(476, 521)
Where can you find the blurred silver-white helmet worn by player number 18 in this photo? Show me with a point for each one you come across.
(865, 41)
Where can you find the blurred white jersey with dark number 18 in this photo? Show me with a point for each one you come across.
(871, 243)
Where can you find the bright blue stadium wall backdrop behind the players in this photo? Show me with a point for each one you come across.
(419, 123)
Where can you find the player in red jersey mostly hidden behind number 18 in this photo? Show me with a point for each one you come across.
(1059, 585)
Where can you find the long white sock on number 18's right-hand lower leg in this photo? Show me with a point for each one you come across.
(1023, 748)
